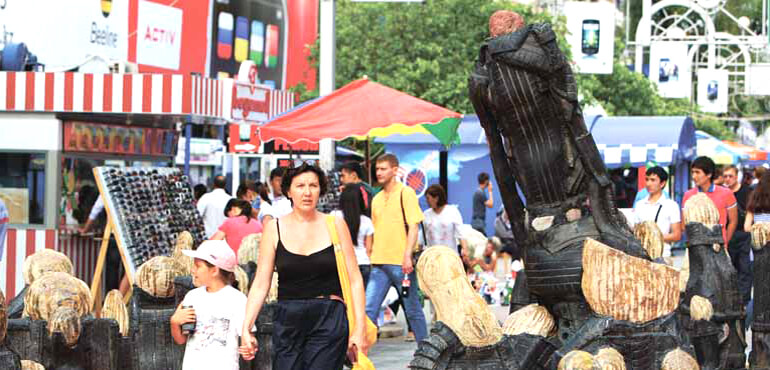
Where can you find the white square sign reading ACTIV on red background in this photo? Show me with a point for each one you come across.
(159, 35)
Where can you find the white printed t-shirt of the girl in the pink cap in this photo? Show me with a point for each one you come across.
(219, 317)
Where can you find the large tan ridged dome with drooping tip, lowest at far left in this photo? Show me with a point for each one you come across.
(60, 299)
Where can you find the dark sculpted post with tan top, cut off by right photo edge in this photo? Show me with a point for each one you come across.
(760, 326)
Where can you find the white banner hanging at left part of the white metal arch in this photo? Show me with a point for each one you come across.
(670, 69)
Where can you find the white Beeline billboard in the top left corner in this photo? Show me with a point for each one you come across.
(64, 33)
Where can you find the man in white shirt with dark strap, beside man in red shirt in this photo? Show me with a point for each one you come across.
(655, 207)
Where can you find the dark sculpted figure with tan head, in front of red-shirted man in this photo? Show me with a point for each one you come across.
(711, 311)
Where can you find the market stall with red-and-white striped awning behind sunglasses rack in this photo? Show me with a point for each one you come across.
(58, 126)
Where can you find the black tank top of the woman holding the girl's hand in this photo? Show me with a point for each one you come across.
(303, 277)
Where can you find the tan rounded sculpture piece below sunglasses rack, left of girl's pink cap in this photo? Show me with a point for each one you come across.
(156, 276)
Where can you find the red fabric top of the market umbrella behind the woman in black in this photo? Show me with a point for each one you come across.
(353, 110)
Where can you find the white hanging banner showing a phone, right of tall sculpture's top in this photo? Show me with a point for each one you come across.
(591, 35)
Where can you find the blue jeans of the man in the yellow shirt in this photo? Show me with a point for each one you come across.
(381, 279)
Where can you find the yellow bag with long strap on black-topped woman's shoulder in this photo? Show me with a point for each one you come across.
(363, 362)
